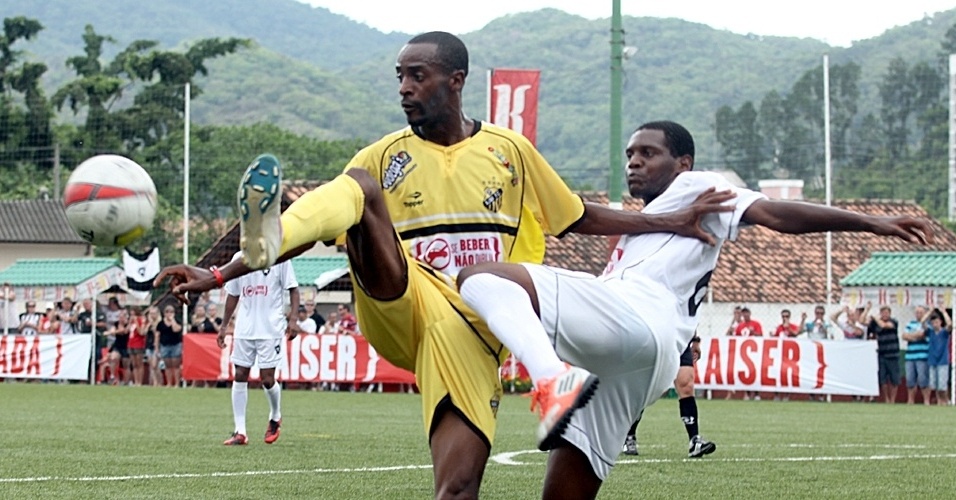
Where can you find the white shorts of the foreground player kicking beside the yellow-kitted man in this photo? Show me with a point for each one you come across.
(592, 327)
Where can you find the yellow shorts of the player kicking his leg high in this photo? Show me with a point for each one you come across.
(429, 331)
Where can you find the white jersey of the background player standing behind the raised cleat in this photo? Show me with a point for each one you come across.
(260, 313)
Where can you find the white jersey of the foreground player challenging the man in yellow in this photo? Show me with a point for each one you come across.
(654, 271)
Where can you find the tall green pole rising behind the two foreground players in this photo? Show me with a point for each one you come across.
(615, 148)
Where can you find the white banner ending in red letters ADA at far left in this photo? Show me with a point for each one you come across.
(45, 356)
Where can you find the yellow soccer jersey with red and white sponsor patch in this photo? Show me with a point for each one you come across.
(464, 204)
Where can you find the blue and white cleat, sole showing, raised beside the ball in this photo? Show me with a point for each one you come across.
(260, 197)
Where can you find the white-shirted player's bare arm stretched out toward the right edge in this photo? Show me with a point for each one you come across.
(799, 217)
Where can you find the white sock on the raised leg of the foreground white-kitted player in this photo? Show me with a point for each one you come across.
(506, 308)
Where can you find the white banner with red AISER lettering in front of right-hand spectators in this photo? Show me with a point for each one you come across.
(788, 365)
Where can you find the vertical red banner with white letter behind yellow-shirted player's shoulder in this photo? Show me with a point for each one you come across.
(514, 100)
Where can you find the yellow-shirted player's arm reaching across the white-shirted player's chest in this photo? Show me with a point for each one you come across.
(601, 220)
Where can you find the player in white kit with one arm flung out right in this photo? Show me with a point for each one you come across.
(648, 297)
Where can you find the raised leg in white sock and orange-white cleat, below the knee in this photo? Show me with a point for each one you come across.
(504, 296)
